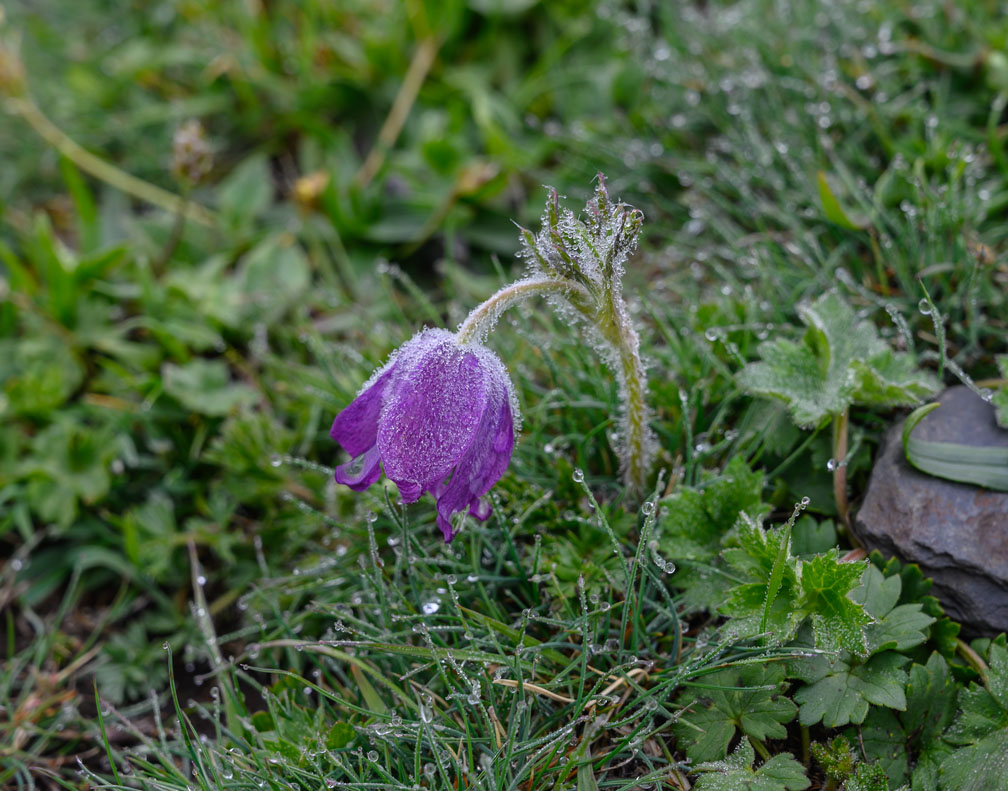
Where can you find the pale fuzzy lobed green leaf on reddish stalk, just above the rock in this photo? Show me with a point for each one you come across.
(841, 361)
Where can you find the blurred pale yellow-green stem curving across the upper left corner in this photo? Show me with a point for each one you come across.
(98, 168)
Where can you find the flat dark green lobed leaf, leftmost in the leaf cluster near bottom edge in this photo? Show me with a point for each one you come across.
(751, 701)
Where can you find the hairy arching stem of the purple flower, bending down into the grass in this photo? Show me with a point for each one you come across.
(608, 316)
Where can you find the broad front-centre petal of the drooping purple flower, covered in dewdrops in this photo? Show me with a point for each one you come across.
(433, 411)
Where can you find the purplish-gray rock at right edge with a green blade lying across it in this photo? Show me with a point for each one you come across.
(956, 533)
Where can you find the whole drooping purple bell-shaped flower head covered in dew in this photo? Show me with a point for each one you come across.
(441, 417)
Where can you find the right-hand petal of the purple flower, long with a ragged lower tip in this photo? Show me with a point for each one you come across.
(484, 461)
